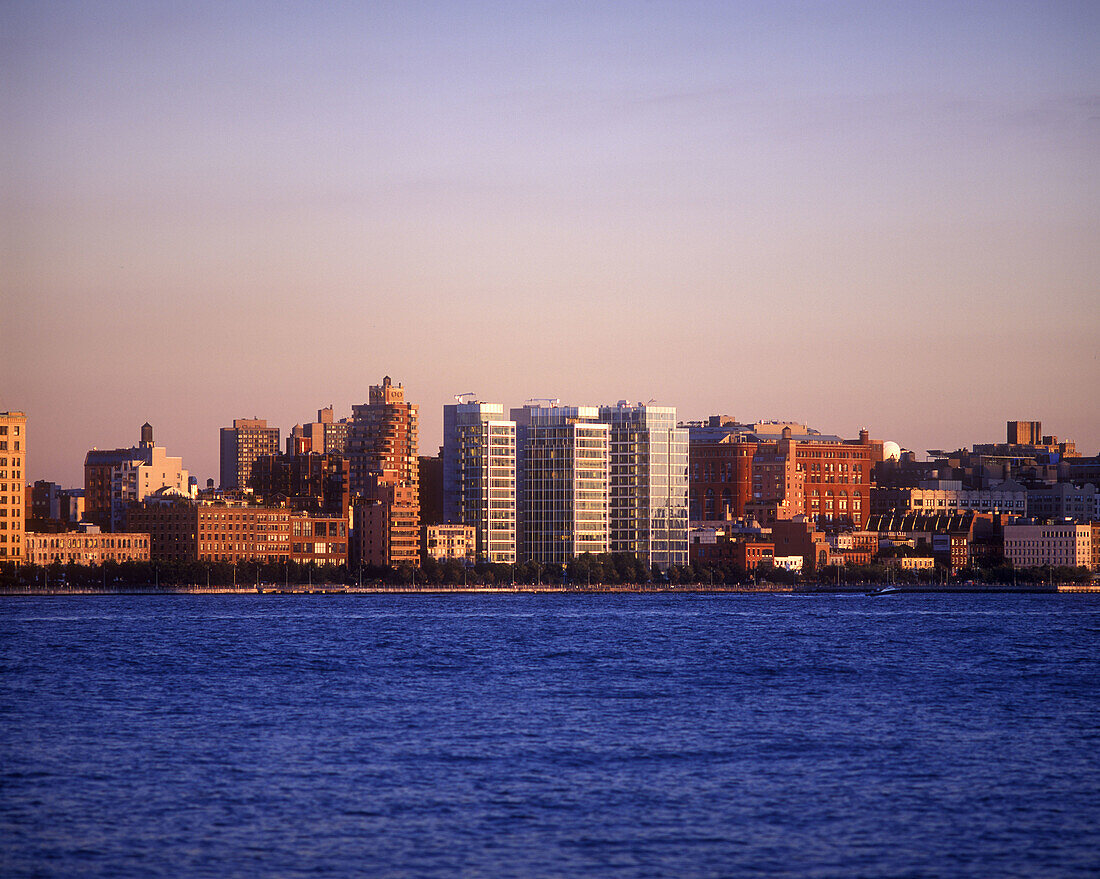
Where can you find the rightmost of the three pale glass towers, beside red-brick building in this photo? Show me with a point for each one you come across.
(648, 486)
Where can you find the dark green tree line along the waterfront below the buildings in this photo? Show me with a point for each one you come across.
(584, 573)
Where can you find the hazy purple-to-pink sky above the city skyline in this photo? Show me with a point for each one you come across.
(850, 215)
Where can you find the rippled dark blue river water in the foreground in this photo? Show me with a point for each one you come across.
(551, 735)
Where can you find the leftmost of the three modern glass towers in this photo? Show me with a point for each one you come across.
(480, 477)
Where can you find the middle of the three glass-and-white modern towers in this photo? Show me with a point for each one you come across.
(563, 460)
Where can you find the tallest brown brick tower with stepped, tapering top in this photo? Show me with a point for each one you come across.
(384, 476)
